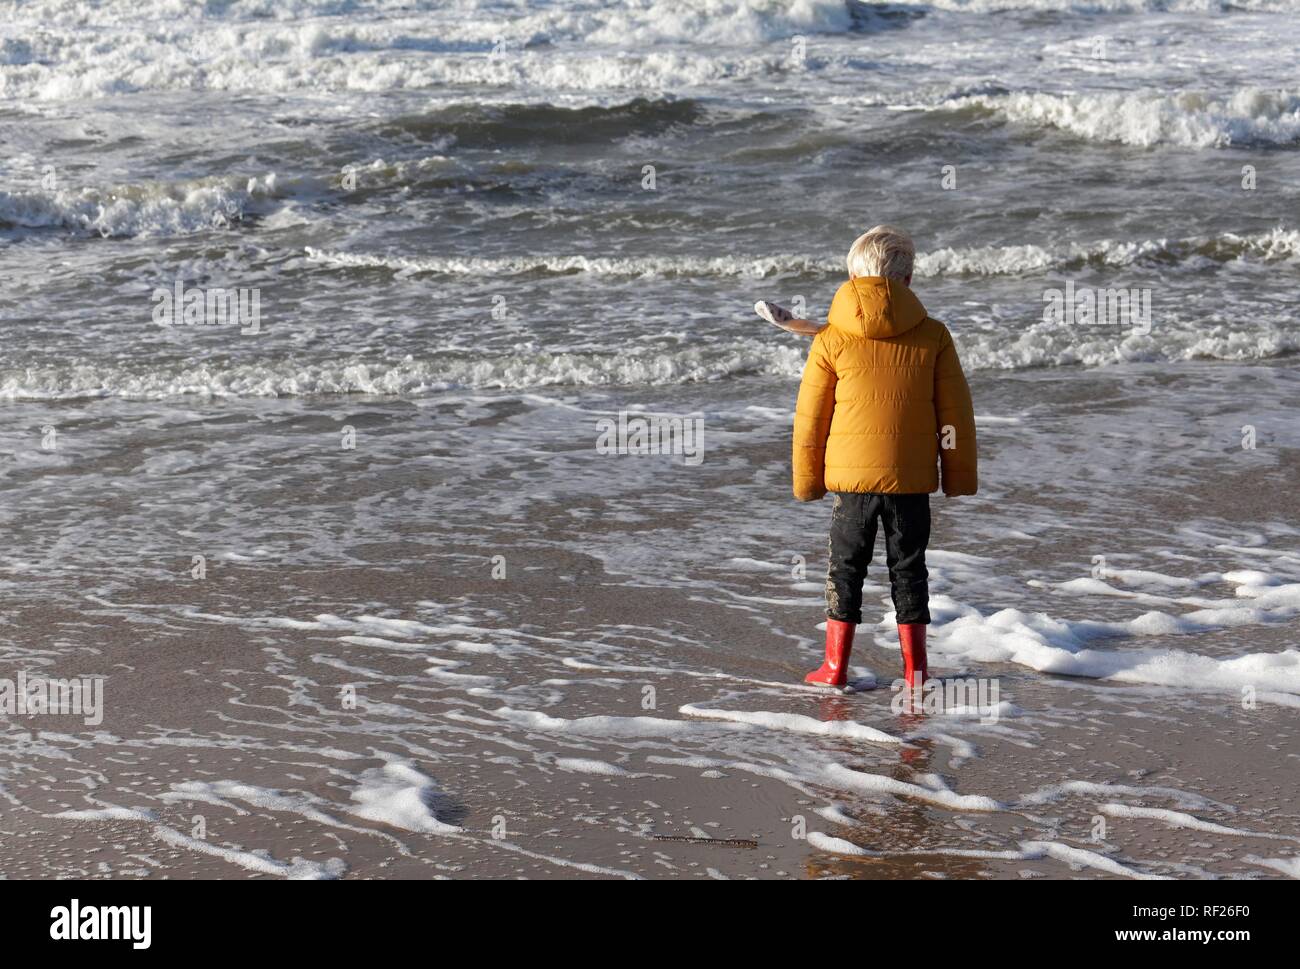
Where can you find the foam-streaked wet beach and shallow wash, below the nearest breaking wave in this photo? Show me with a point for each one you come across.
(635, 673)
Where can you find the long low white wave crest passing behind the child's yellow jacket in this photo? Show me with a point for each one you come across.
(1035, 345)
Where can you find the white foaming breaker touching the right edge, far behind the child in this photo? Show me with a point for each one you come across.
(1251, 116)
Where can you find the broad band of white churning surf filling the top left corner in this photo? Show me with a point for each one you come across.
(63, 54)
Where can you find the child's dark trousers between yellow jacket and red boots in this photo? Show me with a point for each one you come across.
(853, 538)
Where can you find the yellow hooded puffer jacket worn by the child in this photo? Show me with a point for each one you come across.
(882, 391)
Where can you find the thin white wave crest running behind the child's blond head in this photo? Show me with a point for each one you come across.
(1194, 253)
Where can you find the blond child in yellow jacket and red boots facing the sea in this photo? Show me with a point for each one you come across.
(883, 400)
